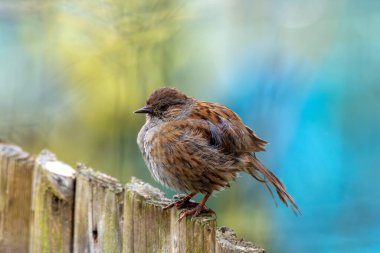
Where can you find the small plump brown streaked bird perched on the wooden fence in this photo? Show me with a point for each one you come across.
(195, 147)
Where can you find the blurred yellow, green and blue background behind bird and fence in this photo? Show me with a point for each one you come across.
(303, 74)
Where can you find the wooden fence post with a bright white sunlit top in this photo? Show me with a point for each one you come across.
(52, 206)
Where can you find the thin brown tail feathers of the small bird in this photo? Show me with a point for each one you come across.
(267, 176)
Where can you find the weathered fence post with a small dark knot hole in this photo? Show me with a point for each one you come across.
(98, 210)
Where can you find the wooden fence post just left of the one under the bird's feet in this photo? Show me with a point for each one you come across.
(146, 226)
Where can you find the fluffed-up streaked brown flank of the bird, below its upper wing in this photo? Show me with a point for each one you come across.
(184, 149)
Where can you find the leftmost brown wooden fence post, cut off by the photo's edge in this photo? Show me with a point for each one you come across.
(16, 170)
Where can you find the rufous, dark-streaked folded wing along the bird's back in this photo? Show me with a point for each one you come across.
(227, 129)
